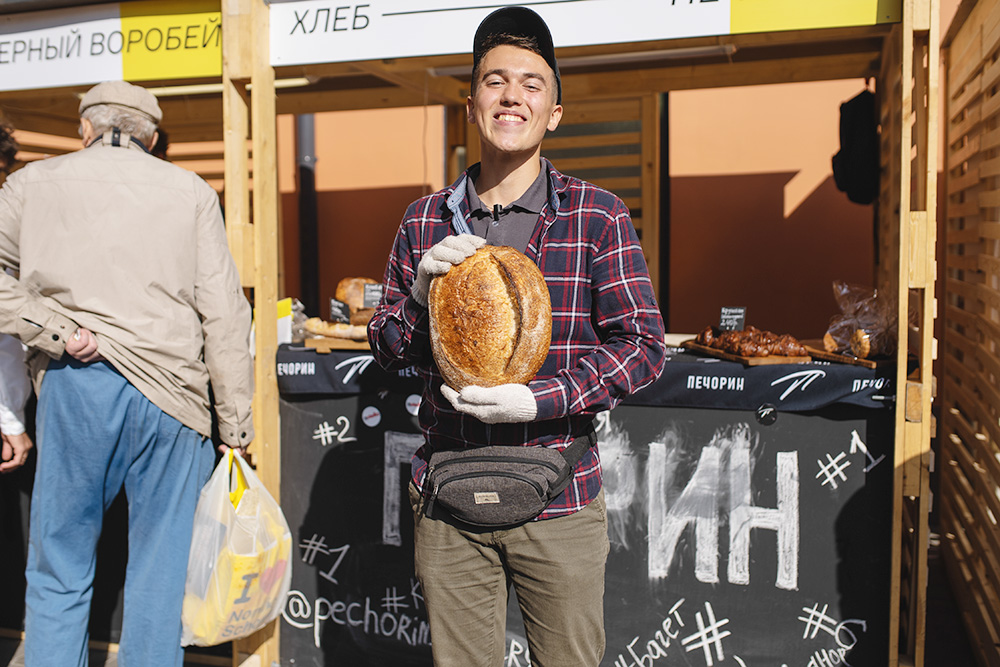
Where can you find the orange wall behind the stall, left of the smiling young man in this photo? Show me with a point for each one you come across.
(369, 166)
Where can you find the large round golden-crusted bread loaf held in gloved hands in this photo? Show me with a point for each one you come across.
(490, 319)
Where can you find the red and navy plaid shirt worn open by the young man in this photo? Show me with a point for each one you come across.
(607, 332)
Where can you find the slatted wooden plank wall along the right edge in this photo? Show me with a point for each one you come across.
(969, 494)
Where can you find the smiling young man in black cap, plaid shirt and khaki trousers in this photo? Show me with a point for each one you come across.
(606, 343)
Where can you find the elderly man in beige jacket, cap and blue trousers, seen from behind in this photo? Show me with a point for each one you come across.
(131, 307)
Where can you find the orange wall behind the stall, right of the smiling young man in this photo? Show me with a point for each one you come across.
(755, 219)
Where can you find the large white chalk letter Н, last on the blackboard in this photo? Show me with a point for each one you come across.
(744, 516)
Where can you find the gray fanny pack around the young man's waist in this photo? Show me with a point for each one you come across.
(500, 486)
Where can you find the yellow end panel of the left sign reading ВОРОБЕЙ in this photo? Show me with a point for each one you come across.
(171, 39)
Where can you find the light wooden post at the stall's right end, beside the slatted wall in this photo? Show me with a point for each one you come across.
(917, 183)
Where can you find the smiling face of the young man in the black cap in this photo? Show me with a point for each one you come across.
(514, 101)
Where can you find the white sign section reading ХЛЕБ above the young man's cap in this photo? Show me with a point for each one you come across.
(318, 31)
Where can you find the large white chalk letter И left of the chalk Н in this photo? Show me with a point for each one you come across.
(697, 504)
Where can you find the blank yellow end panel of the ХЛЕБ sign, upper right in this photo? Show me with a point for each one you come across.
(769, 15)
